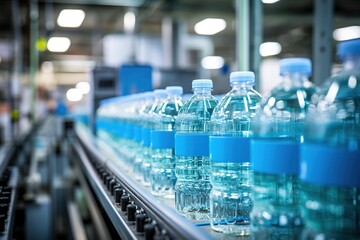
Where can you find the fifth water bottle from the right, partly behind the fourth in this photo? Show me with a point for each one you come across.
(162, 173)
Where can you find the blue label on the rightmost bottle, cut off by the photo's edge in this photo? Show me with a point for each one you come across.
(326, 165)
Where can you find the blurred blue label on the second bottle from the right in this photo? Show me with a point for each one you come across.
(275, 156)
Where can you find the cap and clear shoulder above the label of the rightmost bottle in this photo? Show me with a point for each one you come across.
(334, 117)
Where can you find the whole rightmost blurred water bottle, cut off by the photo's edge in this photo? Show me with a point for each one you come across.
(330, 158)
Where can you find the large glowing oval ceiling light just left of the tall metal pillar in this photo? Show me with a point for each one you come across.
(210, 26)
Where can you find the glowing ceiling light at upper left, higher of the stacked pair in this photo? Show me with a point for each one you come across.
(71, 18)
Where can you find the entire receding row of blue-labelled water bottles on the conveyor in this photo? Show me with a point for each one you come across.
(283, 166)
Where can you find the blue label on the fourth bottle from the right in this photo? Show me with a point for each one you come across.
(192, 144)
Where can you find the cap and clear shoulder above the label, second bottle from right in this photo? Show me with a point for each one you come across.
(283, 111)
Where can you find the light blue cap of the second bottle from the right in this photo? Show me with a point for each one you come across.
(292, 65)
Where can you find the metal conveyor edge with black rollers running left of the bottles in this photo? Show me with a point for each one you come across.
(136, 214)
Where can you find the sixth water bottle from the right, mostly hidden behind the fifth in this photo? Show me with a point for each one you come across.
(150, 121)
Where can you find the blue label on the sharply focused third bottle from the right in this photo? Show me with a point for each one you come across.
(229, 149)
